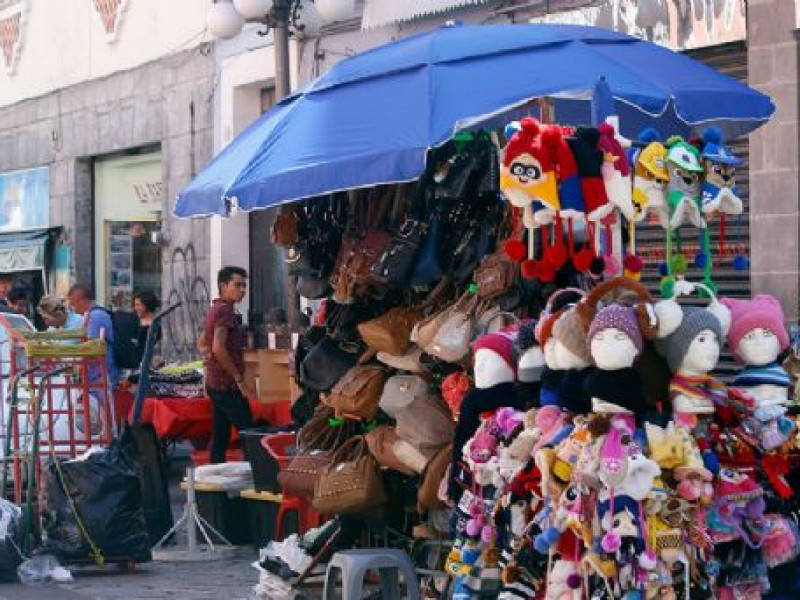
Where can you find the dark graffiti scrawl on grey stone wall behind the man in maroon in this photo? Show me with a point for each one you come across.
(183, 327)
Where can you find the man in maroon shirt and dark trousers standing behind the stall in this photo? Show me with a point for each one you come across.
(224, 361)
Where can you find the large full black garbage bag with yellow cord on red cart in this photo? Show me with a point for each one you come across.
(96, 496)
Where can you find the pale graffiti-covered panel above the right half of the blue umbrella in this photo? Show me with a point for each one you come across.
(677, 24)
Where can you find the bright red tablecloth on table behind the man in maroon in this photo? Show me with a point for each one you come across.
(187, 419)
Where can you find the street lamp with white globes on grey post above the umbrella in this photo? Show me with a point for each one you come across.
(226, 19)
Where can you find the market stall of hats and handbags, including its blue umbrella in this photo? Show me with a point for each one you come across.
(486, 359)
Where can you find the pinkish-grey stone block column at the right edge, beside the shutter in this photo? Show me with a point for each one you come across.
(772, 53)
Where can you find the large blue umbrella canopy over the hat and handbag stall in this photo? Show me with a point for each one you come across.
(372, 118)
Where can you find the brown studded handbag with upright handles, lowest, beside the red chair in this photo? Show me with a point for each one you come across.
(351, 483)
